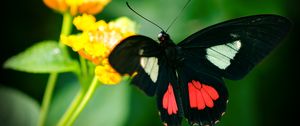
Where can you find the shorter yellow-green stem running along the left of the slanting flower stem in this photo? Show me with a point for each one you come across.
(71, 108)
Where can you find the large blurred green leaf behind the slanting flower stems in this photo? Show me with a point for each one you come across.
(109, 105)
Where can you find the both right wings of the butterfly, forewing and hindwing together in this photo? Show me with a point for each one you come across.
(230, 49)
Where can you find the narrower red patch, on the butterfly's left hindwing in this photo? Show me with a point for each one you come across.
(169, 101)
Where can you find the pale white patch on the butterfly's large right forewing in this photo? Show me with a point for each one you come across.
(221, 55)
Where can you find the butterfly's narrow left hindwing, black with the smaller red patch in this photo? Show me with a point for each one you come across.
(168, 95)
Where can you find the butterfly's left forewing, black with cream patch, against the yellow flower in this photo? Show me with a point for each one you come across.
(137, 54)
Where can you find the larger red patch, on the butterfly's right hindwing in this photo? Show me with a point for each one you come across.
(201, 95)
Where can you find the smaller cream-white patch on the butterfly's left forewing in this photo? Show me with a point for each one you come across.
(150, 65)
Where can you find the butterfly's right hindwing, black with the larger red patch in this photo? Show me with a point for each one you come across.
(204, 95)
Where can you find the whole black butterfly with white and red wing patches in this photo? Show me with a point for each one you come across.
(187, 78)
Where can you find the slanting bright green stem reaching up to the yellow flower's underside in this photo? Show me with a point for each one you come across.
(91, 90)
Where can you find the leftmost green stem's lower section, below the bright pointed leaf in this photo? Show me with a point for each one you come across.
(47, 98)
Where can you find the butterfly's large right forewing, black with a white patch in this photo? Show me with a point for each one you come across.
(234, 47)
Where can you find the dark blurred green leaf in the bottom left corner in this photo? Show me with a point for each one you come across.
(17, 109)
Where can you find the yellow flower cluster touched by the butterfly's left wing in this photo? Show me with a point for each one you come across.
(97, 40)
